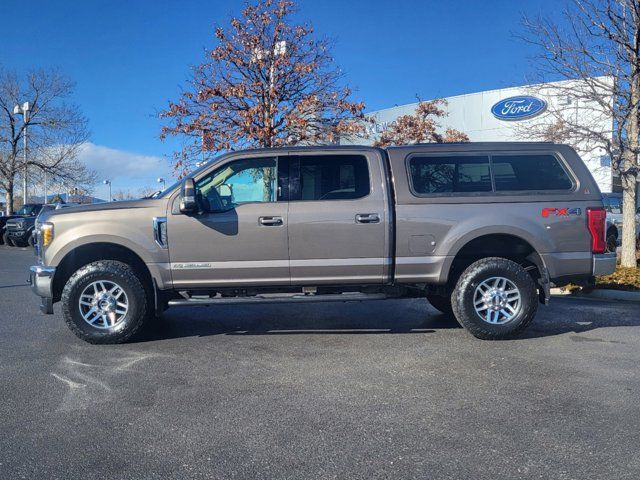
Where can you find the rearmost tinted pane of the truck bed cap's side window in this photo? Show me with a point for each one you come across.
(529, 172)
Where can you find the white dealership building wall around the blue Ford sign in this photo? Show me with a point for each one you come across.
(472, 115)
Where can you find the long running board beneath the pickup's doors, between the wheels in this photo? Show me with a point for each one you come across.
(278, 298)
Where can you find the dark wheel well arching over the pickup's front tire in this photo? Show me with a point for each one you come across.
(86, 254)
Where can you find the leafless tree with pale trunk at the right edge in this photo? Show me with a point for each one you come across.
(600, 46)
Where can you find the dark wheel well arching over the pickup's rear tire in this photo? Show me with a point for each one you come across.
(497, 245)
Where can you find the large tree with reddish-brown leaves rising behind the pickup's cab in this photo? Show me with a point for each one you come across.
(268, 82)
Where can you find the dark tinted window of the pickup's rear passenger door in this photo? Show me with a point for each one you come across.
(333, 177)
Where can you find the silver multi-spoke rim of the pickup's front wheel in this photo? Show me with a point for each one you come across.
(103, 304)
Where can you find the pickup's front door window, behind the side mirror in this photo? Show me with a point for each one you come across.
(249, 180)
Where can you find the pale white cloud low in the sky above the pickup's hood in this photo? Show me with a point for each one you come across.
(125, 169)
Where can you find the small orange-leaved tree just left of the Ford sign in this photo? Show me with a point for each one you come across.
(421, 127)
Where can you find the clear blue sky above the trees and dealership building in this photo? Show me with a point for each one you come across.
(129, 58)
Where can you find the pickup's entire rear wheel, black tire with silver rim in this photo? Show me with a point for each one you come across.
(495, 299)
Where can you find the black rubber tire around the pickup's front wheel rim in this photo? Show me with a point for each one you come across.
(111, 271)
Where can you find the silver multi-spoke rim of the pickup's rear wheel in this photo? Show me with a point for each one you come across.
(497, 300)
